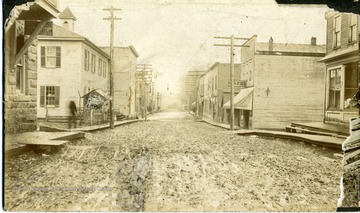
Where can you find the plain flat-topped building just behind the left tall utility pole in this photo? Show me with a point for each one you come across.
(125, 62)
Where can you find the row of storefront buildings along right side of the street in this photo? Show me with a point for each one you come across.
(277, 84)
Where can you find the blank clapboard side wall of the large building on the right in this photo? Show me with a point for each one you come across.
(295, 86)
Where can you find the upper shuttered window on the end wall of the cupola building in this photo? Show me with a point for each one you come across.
(51, 57)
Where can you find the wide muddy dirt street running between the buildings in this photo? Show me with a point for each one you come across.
(171, 163)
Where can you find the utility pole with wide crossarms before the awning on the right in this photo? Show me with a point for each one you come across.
(232, 46)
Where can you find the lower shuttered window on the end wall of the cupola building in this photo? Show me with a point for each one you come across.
(49, 96)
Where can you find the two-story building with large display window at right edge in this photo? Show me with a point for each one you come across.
(342, 65)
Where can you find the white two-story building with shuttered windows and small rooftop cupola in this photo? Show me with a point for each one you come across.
(69, 66)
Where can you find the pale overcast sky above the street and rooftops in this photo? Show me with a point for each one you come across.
(177, 36)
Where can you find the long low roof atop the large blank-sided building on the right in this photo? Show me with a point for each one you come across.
(291, 48)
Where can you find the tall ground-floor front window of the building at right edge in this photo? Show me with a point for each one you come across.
(334, 88)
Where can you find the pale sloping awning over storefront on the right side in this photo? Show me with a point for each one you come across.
(243, 100)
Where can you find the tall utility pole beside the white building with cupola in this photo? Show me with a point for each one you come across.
(112, 18)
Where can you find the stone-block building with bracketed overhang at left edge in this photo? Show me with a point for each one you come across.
(22, 27)
